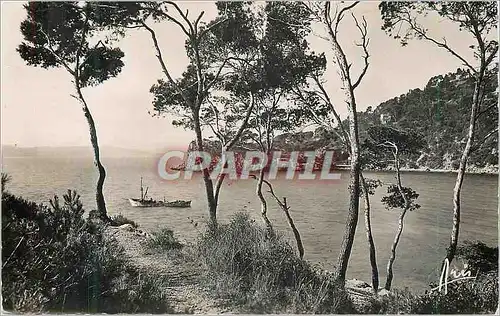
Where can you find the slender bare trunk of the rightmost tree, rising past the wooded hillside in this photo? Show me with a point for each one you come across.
(450, 253)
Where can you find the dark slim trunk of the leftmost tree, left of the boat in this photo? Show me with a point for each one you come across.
(101, 204)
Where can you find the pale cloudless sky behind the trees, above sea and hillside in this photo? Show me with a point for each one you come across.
(37, 109)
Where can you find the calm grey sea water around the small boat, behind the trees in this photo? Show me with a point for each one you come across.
(318, 207)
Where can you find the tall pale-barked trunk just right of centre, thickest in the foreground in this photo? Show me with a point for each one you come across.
(352, 216)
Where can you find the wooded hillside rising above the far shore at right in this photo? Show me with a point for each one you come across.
(440, 113)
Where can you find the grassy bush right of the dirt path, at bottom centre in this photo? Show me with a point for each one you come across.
(259, 271)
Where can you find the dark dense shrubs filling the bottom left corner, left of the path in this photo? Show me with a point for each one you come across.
(56, 260)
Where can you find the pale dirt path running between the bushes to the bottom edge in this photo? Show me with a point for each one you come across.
(184, 293)
